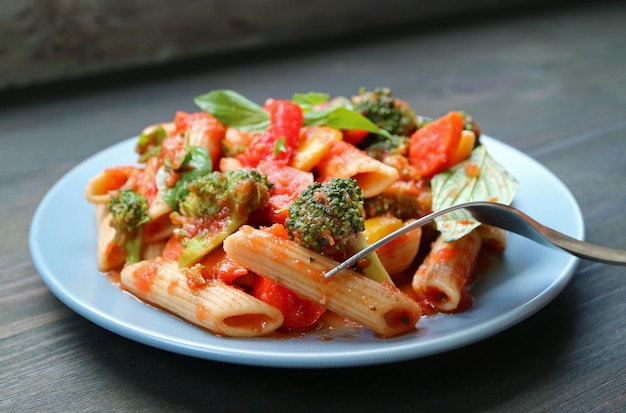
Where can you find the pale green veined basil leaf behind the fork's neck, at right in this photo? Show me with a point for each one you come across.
(453, 186)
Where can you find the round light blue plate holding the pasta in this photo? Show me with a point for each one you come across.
(63, 238)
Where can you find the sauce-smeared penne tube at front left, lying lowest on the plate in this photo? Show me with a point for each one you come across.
(211, 304)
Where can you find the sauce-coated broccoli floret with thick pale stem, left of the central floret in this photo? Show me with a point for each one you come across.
(216, 206)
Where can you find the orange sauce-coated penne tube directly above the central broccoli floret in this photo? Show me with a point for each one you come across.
(344, 160)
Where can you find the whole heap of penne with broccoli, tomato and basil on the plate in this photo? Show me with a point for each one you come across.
(232, 214)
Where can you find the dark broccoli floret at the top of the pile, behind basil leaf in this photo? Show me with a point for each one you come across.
(389, 113)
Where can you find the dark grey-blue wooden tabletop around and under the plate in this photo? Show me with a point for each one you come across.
(551, 83)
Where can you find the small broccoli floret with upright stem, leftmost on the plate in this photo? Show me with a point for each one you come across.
(129, 211)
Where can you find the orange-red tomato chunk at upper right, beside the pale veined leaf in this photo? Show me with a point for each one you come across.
(433, 146)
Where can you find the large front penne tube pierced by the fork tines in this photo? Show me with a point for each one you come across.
(379, 306)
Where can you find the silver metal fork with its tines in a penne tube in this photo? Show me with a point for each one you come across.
(510, 219)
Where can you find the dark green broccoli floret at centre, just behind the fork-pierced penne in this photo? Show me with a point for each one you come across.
(328, 217)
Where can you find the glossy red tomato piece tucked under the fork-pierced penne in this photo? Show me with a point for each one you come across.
(298, 312)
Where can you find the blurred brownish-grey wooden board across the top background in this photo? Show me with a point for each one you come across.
(44, 41)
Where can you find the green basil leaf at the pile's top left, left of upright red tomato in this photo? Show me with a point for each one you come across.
(233, 109)
